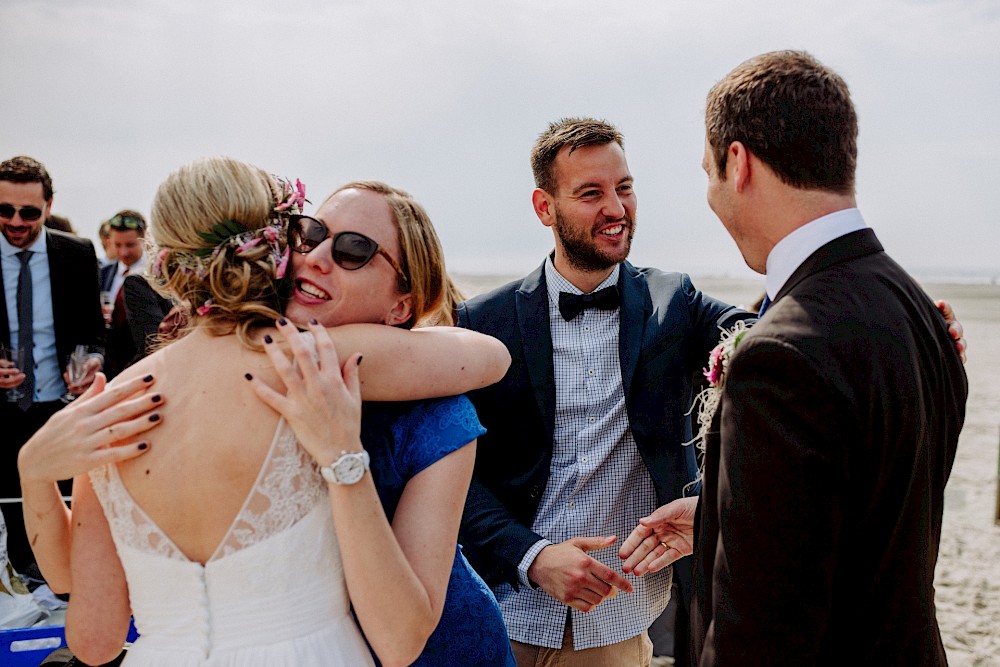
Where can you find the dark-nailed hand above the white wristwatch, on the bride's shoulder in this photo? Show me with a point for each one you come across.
(322, 399)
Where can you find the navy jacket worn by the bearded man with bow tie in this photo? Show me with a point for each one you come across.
(667, 330)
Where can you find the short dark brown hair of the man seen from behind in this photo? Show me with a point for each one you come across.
(793, 113)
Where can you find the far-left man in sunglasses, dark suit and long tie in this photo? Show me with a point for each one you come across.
(51, 304)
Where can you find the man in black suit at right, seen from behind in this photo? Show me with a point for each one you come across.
(841, 409)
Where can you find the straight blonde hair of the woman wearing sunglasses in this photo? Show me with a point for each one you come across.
(432, 293)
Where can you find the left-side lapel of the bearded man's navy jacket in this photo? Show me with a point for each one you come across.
(532, 303)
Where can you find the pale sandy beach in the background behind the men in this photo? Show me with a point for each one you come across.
(968, 570)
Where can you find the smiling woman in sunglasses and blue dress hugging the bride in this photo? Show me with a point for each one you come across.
(371, 254)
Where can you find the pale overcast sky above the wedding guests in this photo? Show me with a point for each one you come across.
(444, 99)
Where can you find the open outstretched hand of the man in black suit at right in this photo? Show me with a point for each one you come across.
(660, 538)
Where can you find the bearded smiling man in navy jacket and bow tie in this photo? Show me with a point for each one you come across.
(585, 432)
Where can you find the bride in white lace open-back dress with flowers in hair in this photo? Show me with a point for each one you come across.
(220, 538)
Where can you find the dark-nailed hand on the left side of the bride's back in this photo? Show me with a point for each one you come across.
(101, 426)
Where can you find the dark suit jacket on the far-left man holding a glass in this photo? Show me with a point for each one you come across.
(76, 303)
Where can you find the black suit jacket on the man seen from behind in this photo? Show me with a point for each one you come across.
(820, 514)
